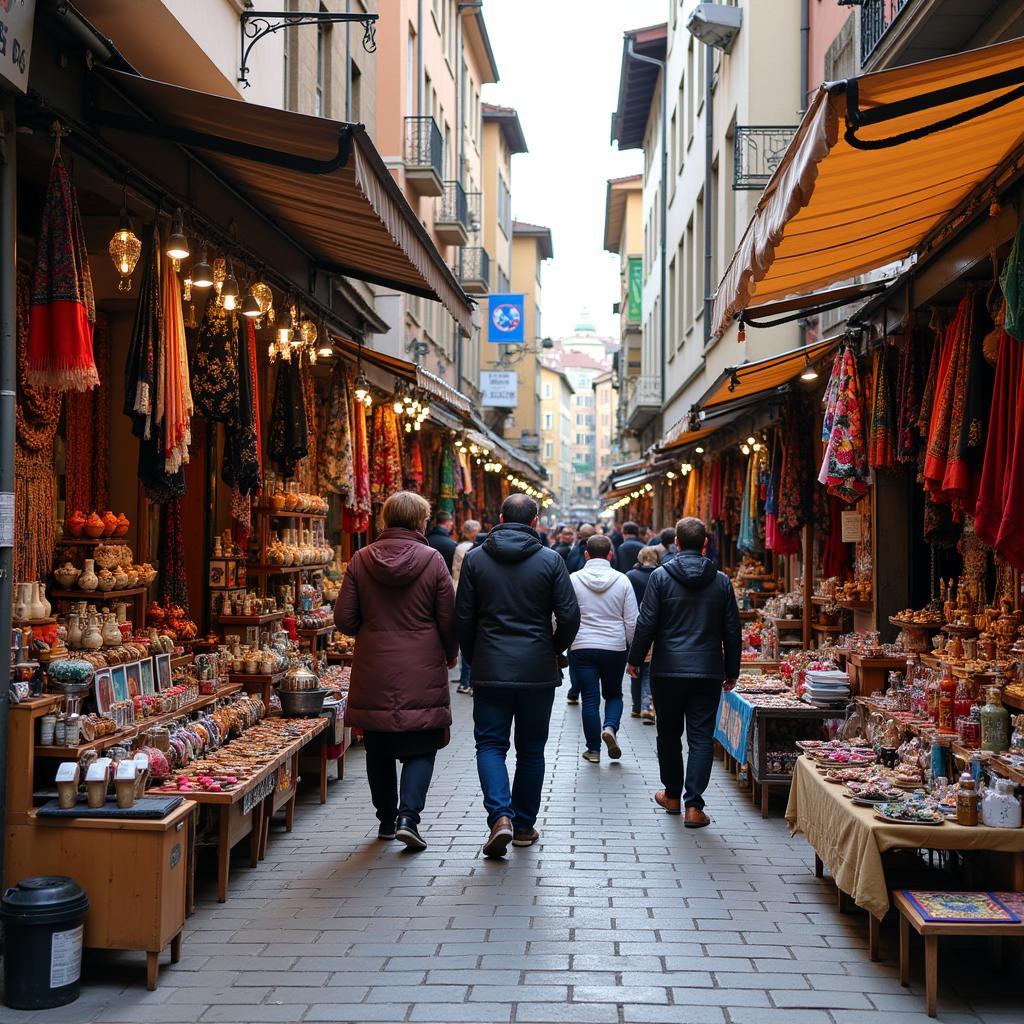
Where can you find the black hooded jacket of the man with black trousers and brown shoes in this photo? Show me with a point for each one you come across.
(690, 615)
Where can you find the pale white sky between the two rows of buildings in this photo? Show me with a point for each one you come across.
(559, 62)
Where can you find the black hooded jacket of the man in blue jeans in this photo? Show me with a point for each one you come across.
(510, 589)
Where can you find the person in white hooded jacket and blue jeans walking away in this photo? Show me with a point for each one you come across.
(608, 619)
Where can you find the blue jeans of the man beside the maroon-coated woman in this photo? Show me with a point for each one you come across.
(495, 711)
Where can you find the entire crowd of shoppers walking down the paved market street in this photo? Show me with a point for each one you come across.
(521, 609)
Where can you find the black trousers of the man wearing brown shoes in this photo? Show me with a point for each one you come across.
(689, 706)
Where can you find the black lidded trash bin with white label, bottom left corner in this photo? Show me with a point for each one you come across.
(44, 924)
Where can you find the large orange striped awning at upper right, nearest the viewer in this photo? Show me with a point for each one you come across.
(920, 142)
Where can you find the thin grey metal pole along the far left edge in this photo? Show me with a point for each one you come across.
(9, 378)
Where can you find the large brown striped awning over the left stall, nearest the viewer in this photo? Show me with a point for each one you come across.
(322, 182)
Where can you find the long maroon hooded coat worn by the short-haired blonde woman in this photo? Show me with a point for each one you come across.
(398, 602)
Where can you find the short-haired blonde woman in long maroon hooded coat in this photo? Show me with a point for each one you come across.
(399, 603)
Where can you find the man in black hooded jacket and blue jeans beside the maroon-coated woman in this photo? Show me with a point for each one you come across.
(509, 589)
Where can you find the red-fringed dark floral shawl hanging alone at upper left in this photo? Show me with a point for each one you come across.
(64, 310)
